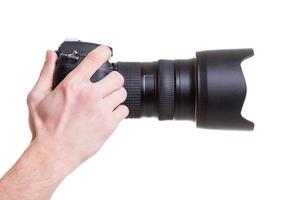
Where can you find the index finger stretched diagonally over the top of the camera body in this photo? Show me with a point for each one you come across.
(91, 63)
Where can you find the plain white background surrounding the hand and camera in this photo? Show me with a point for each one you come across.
(148, 159)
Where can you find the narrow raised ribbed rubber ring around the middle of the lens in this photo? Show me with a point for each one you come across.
(166, 87)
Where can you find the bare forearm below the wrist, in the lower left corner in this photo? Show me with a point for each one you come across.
(36, 174)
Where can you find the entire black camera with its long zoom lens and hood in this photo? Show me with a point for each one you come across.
(209, 89)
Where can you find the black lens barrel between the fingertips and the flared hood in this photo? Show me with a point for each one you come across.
(163, 89)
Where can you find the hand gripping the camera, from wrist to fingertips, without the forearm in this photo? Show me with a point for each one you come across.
(77, 116)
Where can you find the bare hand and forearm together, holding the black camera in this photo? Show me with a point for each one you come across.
(68, 125)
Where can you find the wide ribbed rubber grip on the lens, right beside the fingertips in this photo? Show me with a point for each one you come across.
(133, 82)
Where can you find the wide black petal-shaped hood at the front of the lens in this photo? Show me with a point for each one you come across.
(221, 89)
